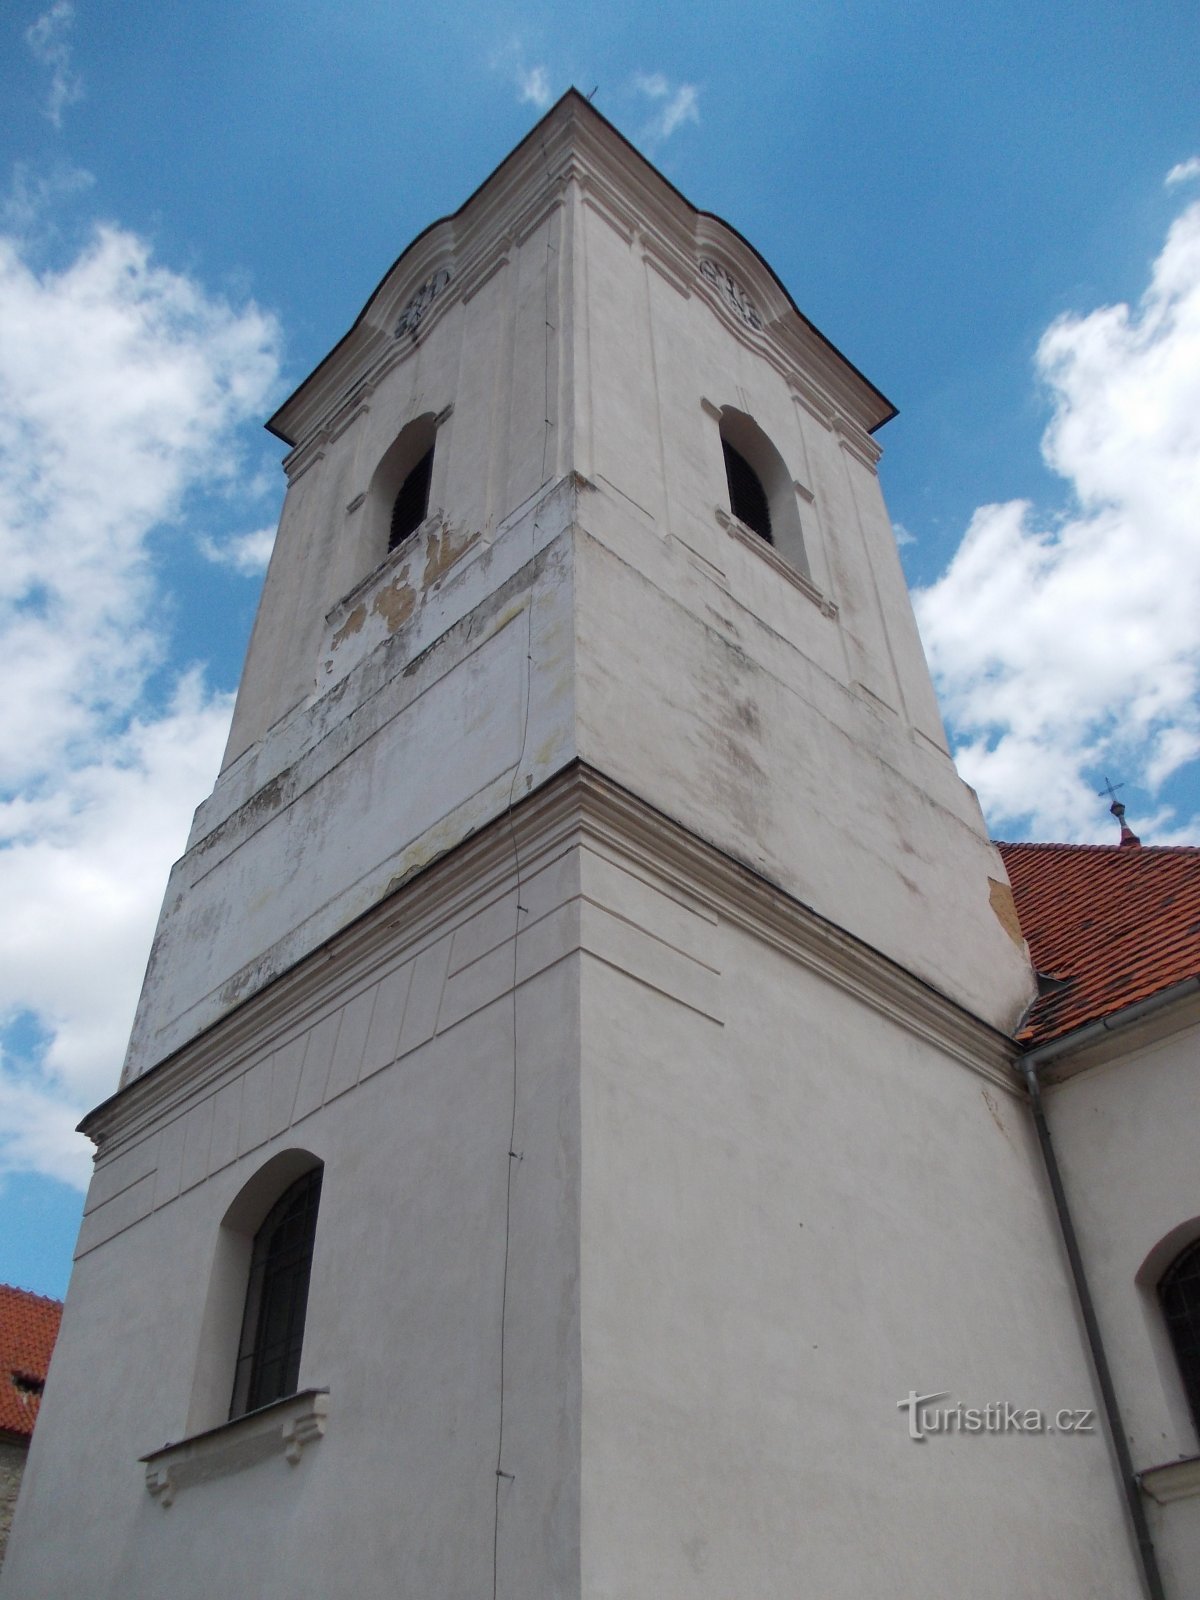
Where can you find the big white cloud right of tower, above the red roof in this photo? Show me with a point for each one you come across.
(1065, 644)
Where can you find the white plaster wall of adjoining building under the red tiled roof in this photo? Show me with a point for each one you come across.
(1124, 1130)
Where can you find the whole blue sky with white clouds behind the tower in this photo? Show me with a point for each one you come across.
(993, 210)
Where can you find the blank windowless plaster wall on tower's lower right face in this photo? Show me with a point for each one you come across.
(794, 1212)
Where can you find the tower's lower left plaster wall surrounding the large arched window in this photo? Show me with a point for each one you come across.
(404, 1086)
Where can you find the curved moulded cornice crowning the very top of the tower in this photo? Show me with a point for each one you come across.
(428, 268)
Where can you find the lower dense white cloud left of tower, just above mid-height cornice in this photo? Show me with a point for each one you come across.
(84, 868)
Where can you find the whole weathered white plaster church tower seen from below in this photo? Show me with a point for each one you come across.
(570, 1103)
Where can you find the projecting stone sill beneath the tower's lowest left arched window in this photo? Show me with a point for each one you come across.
(286, 1426)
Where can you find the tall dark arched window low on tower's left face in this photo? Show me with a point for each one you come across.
(278, 1298)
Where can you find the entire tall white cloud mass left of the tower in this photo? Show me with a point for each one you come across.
(122, 386)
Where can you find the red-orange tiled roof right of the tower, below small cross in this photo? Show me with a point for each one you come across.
(1113, 924)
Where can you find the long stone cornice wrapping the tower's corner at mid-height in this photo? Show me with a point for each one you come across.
(577, 807)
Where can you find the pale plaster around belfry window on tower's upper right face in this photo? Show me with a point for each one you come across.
(662, 350)
